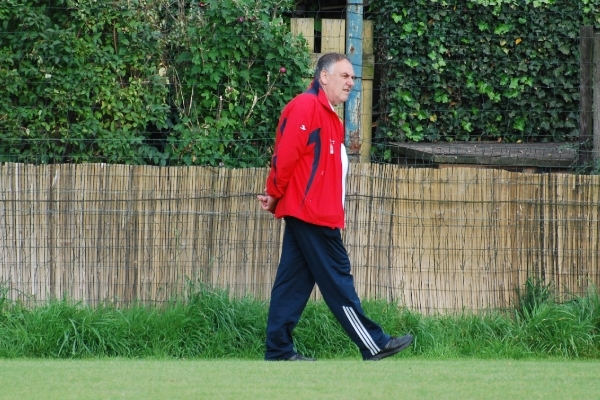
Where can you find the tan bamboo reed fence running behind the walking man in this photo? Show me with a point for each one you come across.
(433, 240)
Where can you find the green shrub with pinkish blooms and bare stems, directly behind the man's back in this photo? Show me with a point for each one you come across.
(234, 67)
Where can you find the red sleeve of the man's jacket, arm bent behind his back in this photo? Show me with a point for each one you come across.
(290, 145)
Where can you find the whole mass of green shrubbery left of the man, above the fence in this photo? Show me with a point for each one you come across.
(145, 82)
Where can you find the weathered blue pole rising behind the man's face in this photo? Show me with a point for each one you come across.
(352, 111)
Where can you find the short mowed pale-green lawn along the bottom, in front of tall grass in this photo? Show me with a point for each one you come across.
(400, 378)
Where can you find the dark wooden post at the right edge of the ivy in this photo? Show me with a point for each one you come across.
(585, 92)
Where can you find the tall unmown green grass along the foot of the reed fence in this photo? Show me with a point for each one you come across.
(208, 323)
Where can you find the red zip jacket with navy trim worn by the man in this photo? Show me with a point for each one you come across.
(306, 169)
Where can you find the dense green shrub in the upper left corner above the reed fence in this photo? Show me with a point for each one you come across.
(82, 81)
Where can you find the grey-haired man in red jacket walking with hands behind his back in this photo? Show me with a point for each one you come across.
(306, 187)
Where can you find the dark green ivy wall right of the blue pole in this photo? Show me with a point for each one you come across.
(479, 70)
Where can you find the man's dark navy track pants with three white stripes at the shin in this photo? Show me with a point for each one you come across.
(316, 254)
